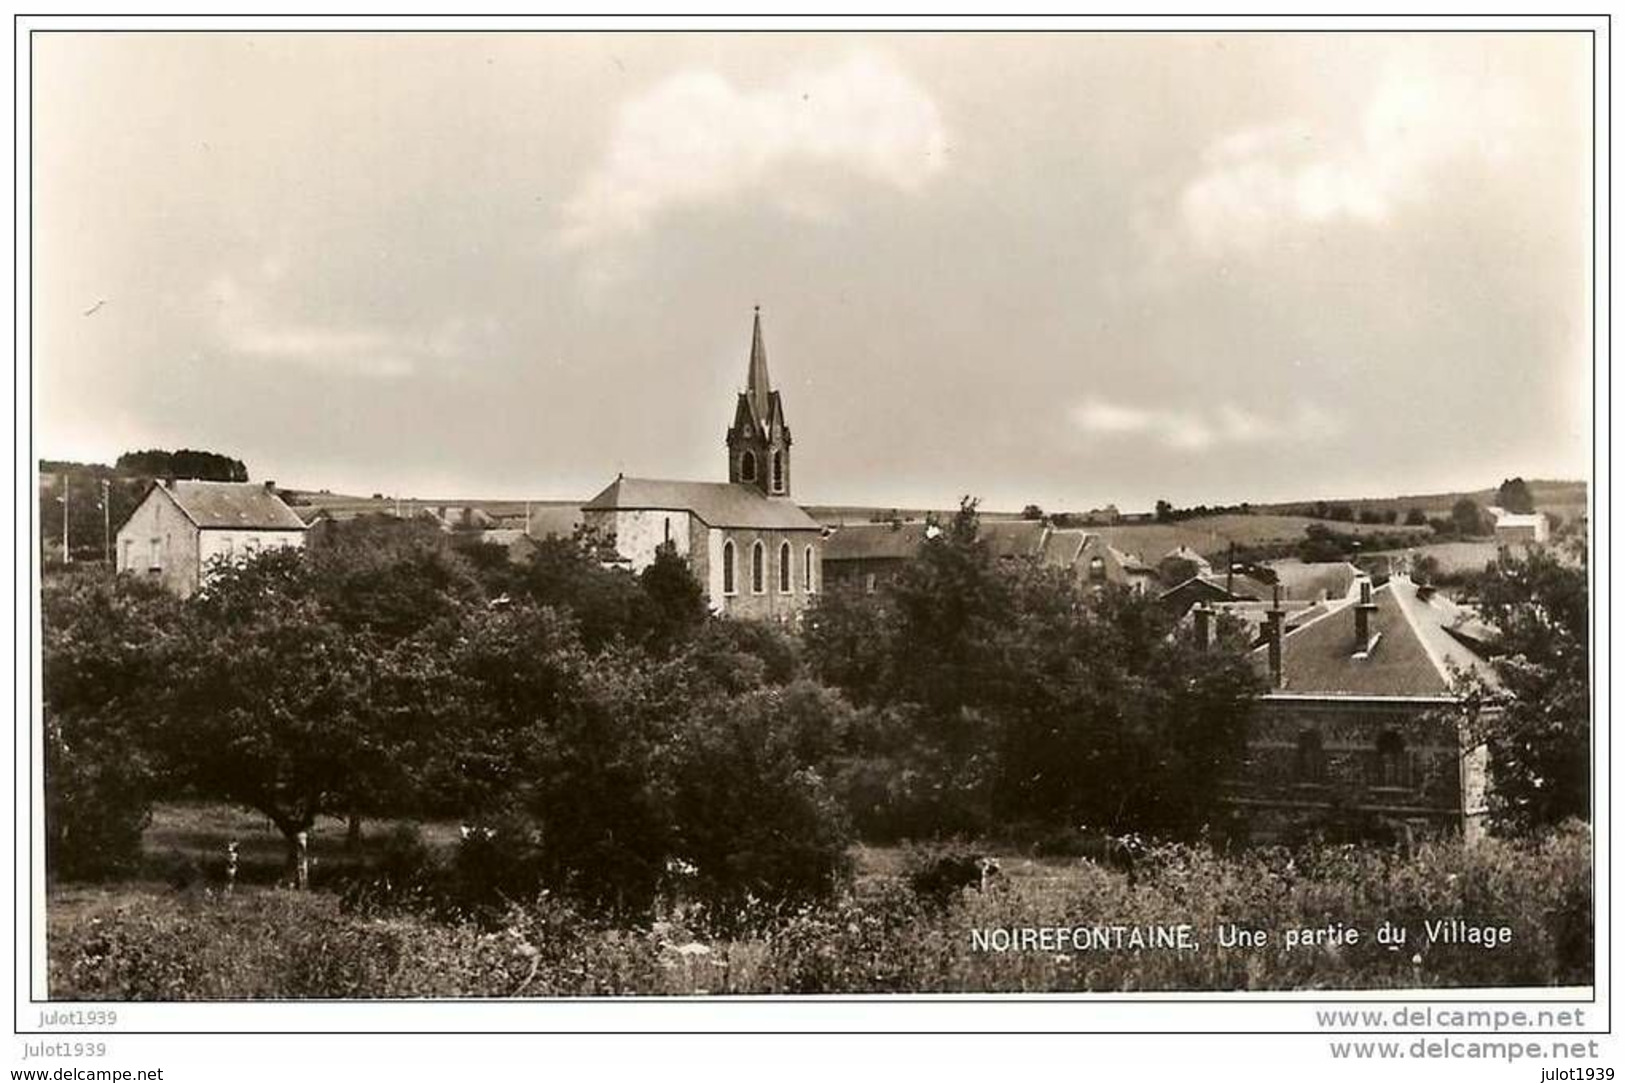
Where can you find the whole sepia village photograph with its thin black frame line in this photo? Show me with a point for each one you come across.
(805, 515)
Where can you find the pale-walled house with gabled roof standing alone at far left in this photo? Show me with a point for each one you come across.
(181, 529)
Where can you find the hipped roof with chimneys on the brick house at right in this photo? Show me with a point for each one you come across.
(1415, 650)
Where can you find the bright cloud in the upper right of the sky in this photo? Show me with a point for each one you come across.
(1260, 181)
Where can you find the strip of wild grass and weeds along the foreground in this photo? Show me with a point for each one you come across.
(152, 941)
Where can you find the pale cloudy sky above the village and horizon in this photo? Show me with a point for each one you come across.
(1070, 269)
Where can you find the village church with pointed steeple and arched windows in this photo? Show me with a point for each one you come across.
(753, 549)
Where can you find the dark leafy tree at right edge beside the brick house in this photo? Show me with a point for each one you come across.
(1536, 715)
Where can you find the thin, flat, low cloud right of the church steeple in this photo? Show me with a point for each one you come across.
(1202, 428)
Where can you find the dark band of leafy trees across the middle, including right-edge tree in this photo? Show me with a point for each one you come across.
(602, 729)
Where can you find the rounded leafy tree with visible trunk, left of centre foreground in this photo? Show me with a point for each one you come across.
(297, 700)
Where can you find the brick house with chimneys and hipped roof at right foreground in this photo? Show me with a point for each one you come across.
(1363, 728)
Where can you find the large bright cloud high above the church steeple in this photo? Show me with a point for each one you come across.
(696, 141)
